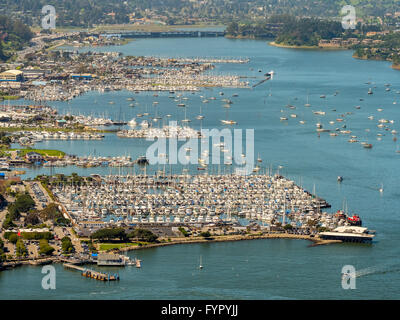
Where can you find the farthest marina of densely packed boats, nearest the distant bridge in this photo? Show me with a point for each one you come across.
(135, 74)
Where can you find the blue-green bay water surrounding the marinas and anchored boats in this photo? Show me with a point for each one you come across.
(265, 269)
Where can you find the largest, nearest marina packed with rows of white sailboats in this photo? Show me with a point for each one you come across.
(200, 199)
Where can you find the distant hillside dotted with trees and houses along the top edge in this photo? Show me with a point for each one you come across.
(86, 13)
